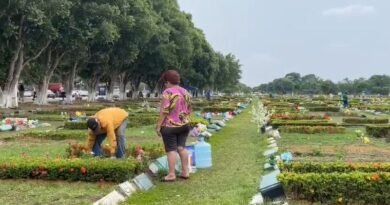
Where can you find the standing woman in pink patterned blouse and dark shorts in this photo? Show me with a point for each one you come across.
(173, 124)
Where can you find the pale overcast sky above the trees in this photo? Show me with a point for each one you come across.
(333, 39)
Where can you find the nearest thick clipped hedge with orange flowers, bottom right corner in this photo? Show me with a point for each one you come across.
(342, 188)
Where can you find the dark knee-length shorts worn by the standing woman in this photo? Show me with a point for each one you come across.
(174, 137)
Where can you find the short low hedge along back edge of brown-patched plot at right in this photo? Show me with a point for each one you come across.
(312, 129)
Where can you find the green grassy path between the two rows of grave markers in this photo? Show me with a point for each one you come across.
(233, 179)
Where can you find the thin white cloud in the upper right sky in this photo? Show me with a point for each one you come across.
(351, 10)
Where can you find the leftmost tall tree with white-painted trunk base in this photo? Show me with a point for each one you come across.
(26, 33)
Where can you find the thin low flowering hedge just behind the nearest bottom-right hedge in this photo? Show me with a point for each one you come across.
(329, 167)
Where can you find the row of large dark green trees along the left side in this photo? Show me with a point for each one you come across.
(123, 42)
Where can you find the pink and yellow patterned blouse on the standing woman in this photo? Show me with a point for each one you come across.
(176, 105)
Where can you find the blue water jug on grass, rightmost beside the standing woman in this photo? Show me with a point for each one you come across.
(202, 152)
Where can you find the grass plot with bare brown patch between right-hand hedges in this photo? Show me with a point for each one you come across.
(330, 147)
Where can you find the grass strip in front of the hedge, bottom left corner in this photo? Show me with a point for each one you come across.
(15, 192)
